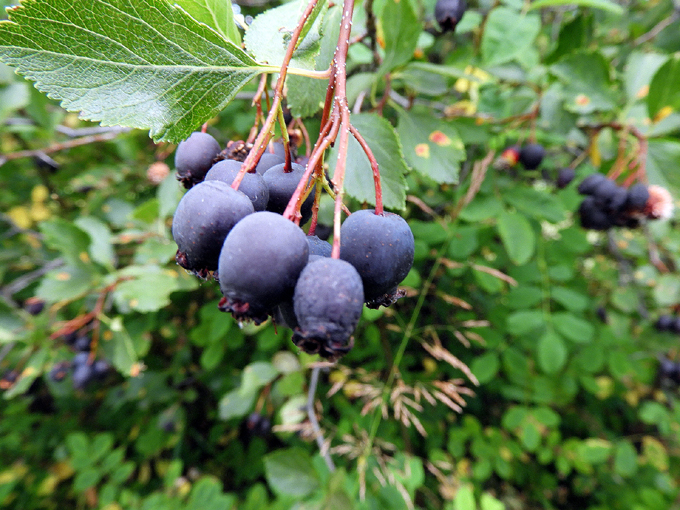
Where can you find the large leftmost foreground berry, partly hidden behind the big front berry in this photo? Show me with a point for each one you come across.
(204, 217)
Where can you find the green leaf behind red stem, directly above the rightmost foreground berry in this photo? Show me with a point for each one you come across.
(382, 139)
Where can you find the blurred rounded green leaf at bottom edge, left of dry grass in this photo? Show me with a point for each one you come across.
(290, 472)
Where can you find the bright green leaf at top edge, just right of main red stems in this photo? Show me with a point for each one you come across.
(401, 29)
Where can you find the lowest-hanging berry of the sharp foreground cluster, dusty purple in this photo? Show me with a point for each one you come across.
(328, 301)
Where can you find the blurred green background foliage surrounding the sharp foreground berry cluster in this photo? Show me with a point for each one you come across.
(563, 405)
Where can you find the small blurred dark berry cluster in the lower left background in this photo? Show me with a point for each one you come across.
(83, 370)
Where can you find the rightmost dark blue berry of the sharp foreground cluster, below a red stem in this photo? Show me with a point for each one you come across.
(381, 249)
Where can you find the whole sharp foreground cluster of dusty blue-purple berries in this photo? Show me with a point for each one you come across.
(266, 265)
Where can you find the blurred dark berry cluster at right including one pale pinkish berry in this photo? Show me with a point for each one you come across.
(608, 205)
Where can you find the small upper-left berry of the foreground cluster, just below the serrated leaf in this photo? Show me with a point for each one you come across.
(194, 157)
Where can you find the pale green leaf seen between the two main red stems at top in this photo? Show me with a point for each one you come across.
(306, 95)
